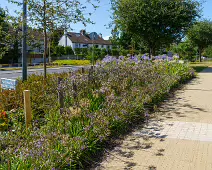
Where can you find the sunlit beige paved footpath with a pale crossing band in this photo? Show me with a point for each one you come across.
(179, 137)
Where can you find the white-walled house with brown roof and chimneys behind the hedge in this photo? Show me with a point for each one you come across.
(84, 40)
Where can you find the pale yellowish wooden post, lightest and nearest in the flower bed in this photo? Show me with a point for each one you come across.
(27, 108)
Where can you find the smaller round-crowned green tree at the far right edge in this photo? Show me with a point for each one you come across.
(201, 35)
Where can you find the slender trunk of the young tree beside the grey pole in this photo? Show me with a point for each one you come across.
(45, 38)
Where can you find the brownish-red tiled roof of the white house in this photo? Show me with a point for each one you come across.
(85, 39)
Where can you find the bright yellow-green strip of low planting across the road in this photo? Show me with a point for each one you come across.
(72, 62)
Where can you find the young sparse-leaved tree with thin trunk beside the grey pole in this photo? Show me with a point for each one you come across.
(50, 14)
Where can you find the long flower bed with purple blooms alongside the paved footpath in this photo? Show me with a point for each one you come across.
(98, 104)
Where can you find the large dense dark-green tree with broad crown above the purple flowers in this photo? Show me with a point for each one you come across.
(156, 22)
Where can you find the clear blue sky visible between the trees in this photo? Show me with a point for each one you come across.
(101, 16)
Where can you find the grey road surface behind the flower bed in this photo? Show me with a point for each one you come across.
(14, 74)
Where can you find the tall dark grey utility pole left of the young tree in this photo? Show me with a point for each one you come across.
(24, 45)
